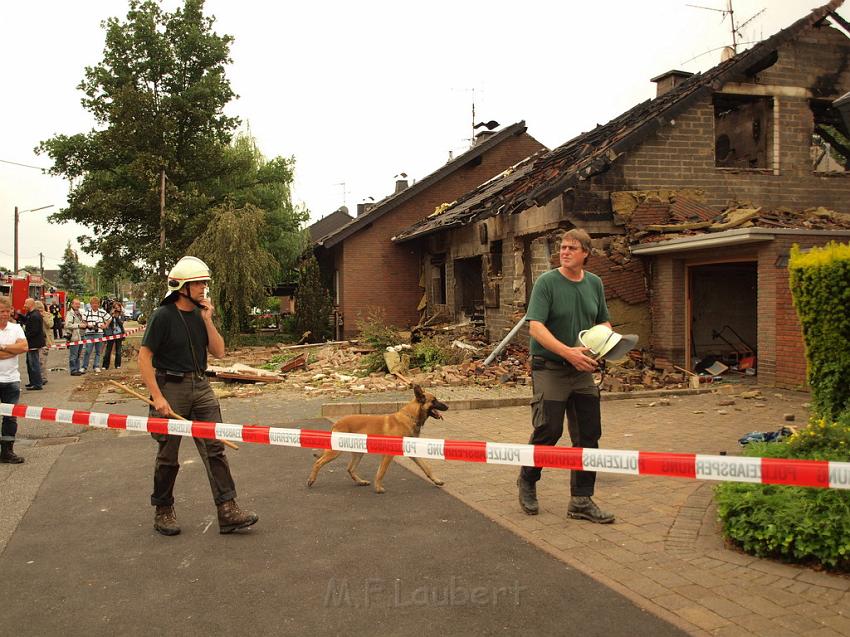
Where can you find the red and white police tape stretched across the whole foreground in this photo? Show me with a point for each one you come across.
(804, 473)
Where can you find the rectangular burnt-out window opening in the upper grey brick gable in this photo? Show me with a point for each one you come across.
(743, 131)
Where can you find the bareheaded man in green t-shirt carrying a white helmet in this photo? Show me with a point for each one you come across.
(563, 303)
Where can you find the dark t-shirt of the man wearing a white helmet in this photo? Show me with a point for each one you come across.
(165, 336)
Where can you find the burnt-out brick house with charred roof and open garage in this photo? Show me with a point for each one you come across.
(693, 198)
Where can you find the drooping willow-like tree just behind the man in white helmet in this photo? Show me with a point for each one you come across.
(242, 269)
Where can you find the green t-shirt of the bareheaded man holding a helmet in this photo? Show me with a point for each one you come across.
(565, 307)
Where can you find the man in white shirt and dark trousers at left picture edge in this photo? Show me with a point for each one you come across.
(12, 344)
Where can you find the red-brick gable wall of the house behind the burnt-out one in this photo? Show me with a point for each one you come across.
(379, 273)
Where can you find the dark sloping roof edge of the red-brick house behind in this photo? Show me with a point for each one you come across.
(393, 201)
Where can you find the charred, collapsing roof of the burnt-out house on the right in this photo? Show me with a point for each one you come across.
(540, 178)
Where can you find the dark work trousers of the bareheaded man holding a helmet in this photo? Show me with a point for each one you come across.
(560, 391)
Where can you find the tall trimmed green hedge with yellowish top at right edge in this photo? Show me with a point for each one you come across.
(820, 287)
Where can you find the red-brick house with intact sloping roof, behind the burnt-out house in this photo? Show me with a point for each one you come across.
(366, 270)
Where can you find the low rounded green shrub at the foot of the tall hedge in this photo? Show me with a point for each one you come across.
(793, 523)
